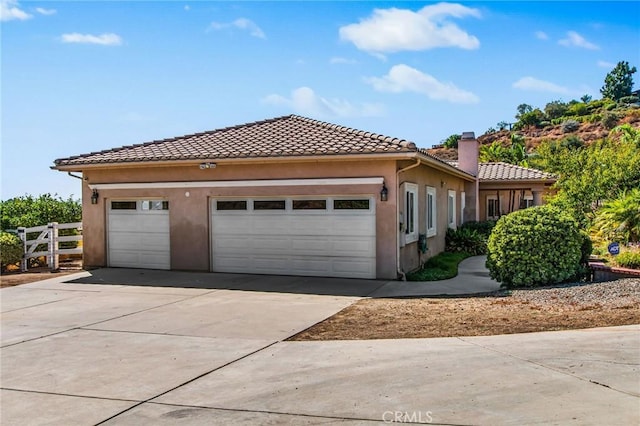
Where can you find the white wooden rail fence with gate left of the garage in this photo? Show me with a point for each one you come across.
(48, 234)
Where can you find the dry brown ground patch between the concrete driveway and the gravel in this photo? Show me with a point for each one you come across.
(475, 316)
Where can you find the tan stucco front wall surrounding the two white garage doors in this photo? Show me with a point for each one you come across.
(189, 215)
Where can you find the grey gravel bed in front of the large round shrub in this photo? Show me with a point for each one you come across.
(612, 294)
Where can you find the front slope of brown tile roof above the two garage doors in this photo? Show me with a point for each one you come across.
(287, 136)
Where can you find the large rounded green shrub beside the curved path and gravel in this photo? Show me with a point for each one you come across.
(533, 247)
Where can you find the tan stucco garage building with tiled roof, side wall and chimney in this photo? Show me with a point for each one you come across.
(289, 195)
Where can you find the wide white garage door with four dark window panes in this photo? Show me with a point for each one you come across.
(331, 237)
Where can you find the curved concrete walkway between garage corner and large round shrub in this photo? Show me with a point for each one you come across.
(473, 278)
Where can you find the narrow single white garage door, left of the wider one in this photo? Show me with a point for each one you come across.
(139, 234)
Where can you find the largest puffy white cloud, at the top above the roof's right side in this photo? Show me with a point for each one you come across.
(393, 30)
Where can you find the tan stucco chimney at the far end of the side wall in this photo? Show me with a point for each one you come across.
(468, 155)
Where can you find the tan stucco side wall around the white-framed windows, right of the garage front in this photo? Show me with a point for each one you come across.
(410, 258)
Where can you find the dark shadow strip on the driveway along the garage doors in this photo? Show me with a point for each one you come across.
(246, 282)
